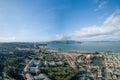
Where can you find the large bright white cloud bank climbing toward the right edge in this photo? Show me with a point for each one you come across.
(110, 27)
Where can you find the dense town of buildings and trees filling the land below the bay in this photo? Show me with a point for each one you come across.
(35, 61)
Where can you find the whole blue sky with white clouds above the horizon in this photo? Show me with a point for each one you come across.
(46, 20)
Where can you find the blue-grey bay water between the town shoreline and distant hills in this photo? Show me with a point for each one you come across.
(92, 46)
